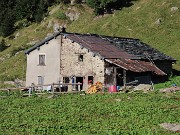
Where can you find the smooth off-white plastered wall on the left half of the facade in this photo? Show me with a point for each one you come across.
(51, 70)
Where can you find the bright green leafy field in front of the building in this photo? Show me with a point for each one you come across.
(111, 114)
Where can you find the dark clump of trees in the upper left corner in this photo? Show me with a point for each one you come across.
(13, 11)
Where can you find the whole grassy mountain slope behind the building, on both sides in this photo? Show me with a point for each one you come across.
(155, 22)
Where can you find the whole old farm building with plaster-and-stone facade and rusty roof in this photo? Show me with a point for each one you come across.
(71, 57)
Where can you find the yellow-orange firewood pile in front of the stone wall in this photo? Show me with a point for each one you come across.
(94, 88)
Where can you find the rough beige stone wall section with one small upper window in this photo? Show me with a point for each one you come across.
(71, 66)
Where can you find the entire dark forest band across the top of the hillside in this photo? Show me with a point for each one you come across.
(15, 14)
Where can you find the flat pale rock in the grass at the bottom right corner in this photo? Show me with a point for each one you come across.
(171, 127)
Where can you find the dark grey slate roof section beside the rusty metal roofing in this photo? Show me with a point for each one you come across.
(138, 48)
